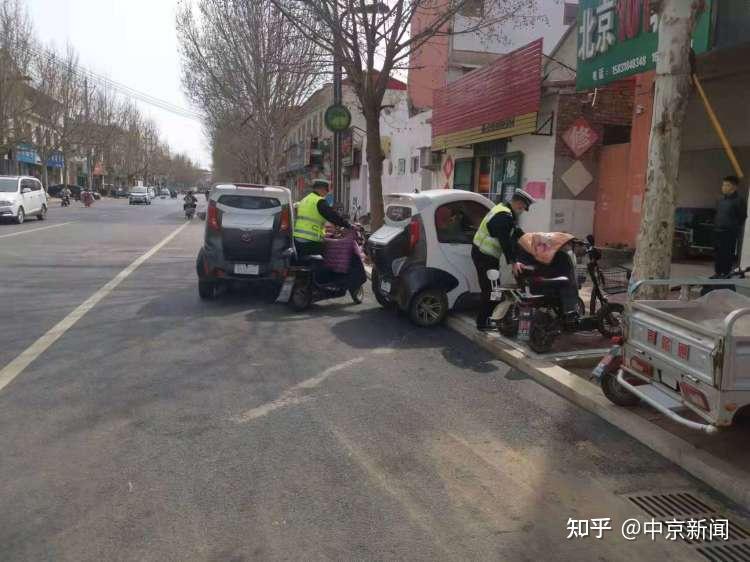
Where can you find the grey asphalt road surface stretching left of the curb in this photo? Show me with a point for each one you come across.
(152, 426)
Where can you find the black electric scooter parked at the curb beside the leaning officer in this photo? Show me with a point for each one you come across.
(533, 311)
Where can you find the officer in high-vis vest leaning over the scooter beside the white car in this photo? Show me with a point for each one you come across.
(496, 238)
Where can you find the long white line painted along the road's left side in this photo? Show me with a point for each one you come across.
(19, 364)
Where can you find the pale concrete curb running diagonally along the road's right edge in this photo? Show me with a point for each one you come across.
(718, 474)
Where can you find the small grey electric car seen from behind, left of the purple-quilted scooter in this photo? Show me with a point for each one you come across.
(248, 236)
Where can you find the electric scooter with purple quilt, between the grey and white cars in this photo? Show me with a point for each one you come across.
(330, 276)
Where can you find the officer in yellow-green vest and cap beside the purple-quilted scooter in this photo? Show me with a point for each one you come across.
(312, 214)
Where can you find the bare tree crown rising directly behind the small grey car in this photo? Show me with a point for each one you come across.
(247, 67)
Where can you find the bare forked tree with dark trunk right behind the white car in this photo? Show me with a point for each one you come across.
(373, 39)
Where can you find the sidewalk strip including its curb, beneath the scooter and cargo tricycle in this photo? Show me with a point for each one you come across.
(720, 461)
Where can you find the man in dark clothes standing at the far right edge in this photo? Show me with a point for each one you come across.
(730, 220)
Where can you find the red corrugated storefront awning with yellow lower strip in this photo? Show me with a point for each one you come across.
(497, 101)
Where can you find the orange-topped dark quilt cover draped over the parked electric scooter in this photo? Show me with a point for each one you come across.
(544, 253)
